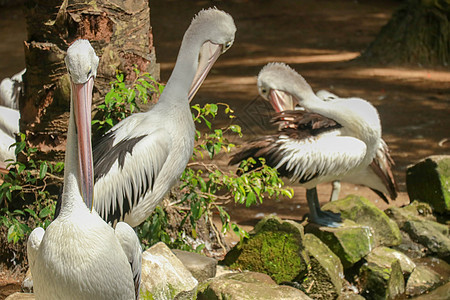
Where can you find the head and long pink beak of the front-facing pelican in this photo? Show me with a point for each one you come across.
(82, 64)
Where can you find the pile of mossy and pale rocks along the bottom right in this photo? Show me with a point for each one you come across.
(374, 255)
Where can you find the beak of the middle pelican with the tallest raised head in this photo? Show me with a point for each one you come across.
(209, 53)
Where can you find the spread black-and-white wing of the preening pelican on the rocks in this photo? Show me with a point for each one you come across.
(305, 159)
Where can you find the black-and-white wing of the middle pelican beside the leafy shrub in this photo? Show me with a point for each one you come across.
(126, 170)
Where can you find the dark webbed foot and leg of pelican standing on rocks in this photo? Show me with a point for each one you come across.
(318, 216)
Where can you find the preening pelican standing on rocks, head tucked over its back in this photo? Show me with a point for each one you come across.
(328, 141)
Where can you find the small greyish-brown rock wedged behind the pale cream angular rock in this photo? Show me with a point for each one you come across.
(200, 266)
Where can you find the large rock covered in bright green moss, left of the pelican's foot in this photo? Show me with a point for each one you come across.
(275, 248)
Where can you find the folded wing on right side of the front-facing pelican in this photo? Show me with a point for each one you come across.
(132, 248)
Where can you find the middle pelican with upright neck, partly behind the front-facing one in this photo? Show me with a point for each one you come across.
(138, 160)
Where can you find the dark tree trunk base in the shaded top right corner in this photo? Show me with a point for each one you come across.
(418, 34)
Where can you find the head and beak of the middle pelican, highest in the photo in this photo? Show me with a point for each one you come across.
(216, 28)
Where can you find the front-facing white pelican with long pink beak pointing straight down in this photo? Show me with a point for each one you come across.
(80, 256)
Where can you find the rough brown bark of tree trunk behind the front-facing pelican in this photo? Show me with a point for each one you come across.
(119, 31)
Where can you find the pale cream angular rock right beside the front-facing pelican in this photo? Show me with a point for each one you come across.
(164, 276)
